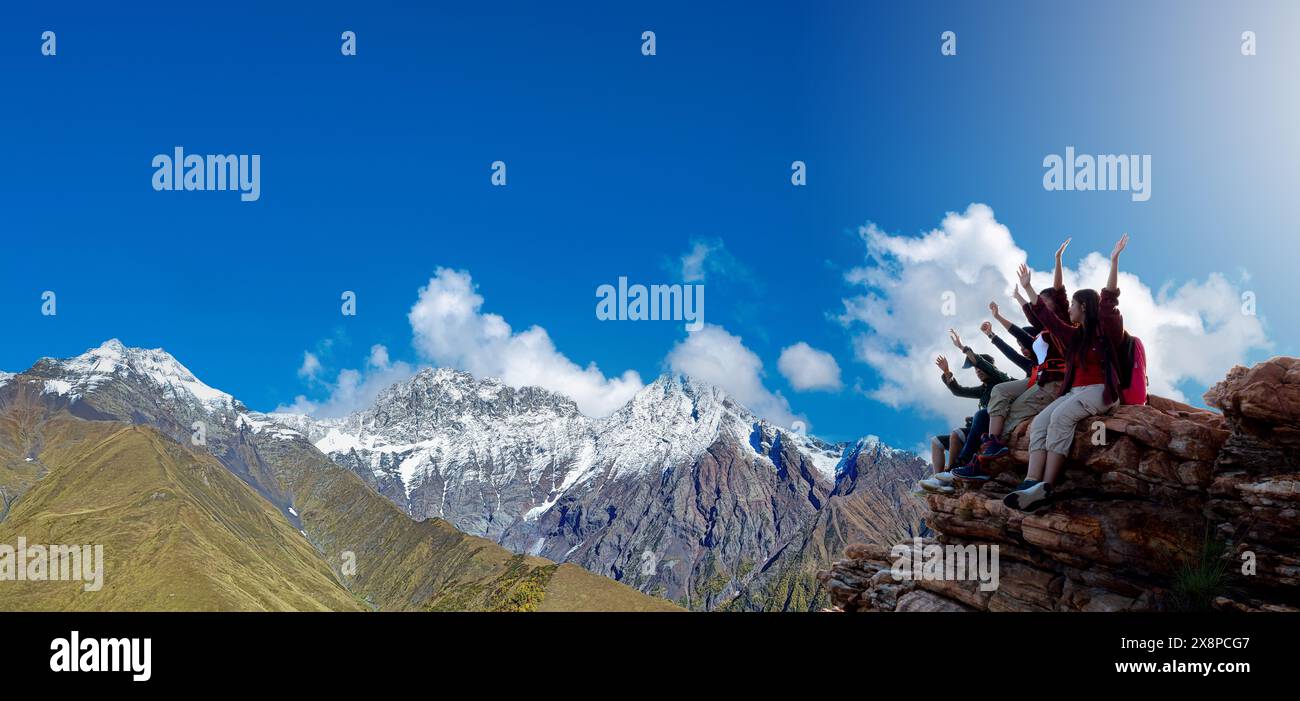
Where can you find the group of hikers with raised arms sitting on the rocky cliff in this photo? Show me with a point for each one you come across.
(1078, 361)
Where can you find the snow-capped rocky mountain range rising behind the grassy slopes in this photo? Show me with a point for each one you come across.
(678, 471)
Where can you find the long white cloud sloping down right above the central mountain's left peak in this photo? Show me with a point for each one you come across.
(450, 330)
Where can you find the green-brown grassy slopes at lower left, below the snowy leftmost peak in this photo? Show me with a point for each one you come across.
(181, 531)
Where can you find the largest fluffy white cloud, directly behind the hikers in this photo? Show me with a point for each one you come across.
(1194, 332)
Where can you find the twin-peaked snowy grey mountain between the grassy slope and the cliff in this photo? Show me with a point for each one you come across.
(682, 494)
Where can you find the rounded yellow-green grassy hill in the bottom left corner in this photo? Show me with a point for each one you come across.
(179, 533)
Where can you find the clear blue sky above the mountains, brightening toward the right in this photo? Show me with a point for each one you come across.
(375, 172)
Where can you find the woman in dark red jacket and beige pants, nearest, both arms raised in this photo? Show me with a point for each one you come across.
(1093, 345)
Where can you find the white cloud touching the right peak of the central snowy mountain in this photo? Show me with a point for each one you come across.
(716, 357)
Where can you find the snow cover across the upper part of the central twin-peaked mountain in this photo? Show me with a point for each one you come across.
(445, 430)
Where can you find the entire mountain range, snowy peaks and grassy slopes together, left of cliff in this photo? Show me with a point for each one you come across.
(448, 494)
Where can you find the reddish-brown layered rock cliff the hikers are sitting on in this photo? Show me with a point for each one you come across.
(1163, 508)
